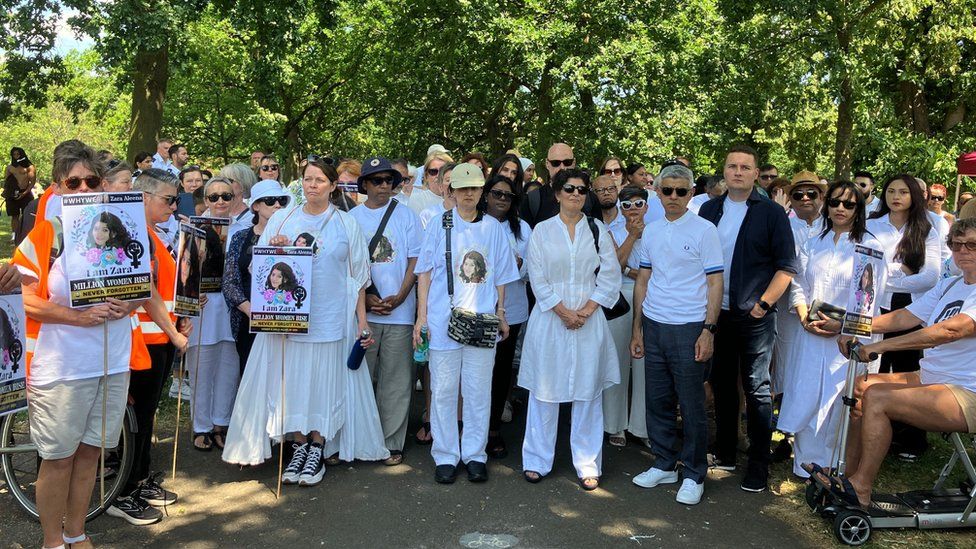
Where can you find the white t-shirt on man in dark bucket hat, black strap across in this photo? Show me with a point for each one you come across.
(400, 241)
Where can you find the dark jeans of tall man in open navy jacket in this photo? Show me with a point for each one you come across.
(743, 349)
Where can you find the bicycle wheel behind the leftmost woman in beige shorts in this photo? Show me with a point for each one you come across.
(20, 464)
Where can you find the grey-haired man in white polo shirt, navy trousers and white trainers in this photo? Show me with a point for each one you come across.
(680, 288)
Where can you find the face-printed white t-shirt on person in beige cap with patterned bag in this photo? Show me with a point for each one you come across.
(482, 259)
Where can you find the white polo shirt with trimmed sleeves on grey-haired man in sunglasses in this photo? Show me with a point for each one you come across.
(680, 254)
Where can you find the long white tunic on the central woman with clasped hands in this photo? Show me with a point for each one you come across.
(558, 364)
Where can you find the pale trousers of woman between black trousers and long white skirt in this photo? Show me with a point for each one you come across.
(214, 381)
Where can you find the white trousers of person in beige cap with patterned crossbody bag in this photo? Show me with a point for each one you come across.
(470, 368)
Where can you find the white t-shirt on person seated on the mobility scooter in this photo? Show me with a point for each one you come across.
(950, 362)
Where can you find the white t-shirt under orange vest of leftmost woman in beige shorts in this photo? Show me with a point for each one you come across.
(65, 352)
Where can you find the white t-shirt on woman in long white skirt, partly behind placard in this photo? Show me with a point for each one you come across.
(336, 241)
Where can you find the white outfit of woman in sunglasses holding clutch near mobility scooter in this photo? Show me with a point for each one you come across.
(816, 371)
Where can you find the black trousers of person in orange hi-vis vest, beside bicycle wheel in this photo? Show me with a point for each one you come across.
(145, 390)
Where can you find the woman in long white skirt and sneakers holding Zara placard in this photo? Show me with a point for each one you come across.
(328, 407)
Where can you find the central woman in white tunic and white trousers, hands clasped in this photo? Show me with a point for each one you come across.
(572, 357)
